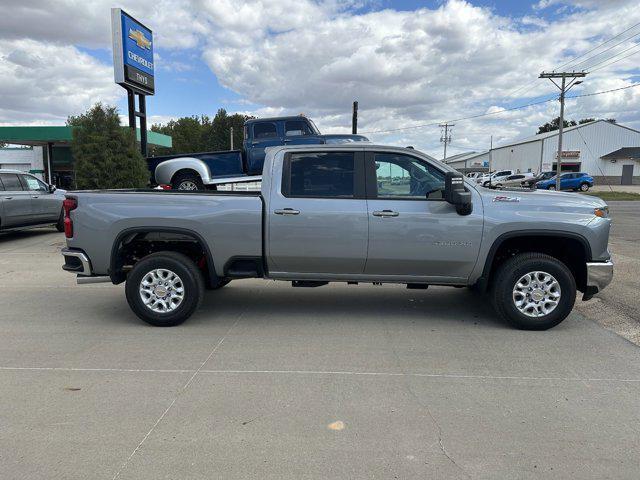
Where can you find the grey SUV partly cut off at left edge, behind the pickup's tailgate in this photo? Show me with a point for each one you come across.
(26, 201)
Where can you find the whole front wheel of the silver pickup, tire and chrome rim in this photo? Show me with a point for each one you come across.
(533, 291)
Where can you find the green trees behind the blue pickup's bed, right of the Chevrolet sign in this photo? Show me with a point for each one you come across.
(201, 134)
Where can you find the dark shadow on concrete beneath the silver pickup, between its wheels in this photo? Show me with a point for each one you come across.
(339, 303)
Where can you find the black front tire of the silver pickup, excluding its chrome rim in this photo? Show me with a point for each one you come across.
(512, 270)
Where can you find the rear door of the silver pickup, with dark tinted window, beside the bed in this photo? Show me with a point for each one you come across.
(317, 217)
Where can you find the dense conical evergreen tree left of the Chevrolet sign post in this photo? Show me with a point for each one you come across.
(106, 155)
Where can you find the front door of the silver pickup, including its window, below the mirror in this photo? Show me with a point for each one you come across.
(413, 231)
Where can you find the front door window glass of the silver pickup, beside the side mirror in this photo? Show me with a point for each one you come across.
(402, 176)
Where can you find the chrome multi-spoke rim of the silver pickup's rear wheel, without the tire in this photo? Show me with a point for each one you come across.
(161, 290)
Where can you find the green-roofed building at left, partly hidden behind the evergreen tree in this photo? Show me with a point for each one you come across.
(46, 151)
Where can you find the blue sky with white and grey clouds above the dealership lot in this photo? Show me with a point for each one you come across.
(407, 62)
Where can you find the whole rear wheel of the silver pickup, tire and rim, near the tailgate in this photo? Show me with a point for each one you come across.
(164, 288)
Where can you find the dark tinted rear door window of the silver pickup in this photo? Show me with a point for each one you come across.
(319, 175)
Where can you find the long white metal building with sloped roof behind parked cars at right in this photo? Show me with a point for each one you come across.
(607, 151)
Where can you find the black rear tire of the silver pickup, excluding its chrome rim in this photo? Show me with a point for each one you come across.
(191, 280)
